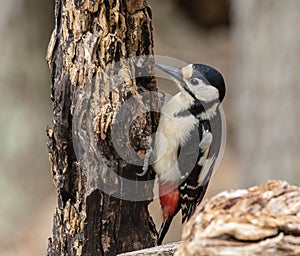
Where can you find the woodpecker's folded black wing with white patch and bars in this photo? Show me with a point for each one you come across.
(191, 163)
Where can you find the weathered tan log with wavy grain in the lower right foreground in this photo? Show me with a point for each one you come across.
(262, 220)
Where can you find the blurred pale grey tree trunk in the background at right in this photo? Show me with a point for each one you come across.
(267, 89)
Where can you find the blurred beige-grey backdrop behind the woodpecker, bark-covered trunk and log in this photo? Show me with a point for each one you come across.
(256, 46)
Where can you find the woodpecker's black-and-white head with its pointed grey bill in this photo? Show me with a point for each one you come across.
(201, 82)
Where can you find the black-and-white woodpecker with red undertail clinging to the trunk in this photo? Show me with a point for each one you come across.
(188, 140)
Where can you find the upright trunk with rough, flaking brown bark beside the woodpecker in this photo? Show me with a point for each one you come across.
(102, 117)
